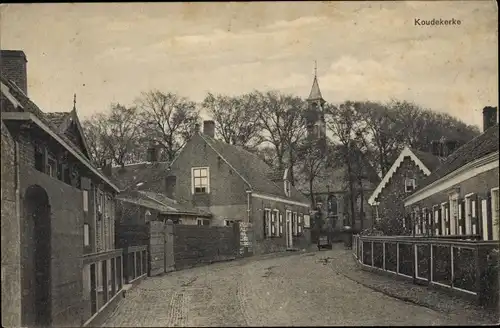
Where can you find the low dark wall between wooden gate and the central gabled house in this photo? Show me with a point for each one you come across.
(194, 245)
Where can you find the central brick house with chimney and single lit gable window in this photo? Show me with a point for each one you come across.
(236, 185)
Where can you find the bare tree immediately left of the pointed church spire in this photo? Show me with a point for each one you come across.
(281, 118)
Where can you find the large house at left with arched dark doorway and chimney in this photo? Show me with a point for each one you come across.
(57, 210)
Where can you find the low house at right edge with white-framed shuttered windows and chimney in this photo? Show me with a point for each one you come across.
(461, 197)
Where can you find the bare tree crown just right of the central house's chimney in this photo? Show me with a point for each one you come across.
(236, 119)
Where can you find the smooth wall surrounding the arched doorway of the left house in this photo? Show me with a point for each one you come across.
(67, 245)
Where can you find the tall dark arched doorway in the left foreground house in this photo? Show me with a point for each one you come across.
(37, 258)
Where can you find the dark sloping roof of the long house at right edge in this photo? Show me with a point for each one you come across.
(478, 147)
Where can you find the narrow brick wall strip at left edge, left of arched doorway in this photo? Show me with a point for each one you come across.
(11, 251)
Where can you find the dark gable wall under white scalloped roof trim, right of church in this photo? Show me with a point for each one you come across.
(391, 208)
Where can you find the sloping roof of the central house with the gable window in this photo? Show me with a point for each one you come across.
(254, 170)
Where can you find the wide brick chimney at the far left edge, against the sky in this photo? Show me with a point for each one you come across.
(13, 63)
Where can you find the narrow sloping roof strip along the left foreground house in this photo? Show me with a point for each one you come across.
(30, 106)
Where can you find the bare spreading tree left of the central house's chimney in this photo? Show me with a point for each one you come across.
(168, 119)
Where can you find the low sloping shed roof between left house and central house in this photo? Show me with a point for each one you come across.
(159, 202)
